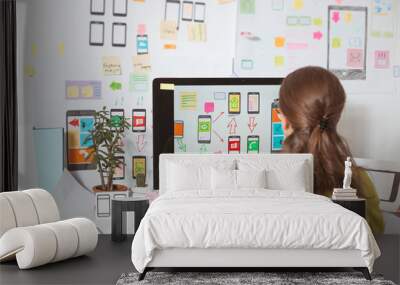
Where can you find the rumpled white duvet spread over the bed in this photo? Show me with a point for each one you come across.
(250, 218)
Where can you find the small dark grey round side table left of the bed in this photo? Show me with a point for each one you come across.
(138, 204)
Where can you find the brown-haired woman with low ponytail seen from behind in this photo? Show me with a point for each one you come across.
(311, 100)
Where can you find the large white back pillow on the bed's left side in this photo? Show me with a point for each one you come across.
(188, 175)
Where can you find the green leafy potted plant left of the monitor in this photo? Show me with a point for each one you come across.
(106, 136)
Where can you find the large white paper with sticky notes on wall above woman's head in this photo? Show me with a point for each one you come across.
(355, 39)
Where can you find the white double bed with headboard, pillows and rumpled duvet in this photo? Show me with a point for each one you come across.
(206, 226)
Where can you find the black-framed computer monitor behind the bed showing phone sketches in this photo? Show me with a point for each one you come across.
(215, 115)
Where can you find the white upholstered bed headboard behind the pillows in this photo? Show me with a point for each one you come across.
(210, 159)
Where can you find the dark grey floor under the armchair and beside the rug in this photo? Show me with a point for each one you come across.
(111, 259)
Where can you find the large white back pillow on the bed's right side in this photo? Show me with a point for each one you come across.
(282, 174)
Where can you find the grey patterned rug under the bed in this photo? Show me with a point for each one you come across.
(230, 278)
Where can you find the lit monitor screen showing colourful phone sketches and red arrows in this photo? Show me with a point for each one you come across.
(226, 119)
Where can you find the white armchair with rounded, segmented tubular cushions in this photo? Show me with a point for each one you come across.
(31, 230)
